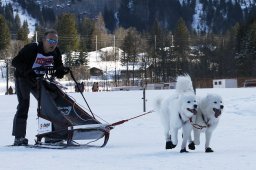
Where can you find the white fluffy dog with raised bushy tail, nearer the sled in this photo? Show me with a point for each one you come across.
(175, 112)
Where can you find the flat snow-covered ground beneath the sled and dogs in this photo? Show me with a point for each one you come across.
(139, 143)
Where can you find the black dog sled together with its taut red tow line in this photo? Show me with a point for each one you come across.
(60, 118)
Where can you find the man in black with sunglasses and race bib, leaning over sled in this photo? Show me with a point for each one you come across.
(30, 57)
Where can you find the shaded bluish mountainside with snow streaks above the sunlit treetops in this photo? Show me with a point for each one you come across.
(201, 15)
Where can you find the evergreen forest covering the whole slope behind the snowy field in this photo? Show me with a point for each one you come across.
(162, 32)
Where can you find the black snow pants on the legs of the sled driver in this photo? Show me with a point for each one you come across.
(23, 88)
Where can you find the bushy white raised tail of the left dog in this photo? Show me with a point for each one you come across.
(184, 84)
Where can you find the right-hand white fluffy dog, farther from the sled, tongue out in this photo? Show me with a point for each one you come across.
(209, 110)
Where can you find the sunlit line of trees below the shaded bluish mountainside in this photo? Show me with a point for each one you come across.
(165, 52)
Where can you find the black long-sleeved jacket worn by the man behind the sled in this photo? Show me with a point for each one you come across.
(25, 59)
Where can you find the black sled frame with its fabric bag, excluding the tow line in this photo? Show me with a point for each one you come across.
(70, 121)
